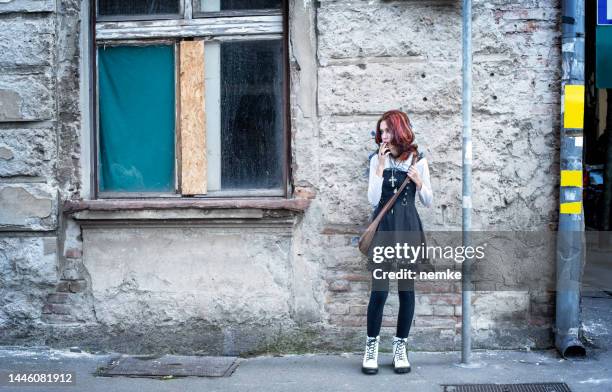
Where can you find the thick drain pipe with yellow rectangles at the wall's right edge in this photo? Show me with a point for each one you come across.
(570, 235)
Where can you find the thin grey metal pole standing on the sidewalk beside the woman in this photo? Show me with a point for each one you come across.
(466, 101)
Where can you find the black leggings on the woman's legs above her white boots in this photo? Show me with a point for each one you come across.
(405, 313)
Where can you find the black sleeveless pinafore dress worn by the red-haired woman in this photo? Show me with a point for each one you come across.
(401, 224)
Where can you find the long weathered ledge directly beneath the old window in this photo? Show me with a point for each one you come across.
(282, 211)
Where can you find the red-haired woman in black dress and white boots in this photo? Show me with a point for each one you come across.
(398, 157)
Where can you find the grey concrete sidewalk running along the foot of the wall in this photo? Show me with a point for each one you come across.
(341, 372)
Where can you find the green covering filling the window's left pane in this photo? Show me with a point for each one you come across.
(136, 116)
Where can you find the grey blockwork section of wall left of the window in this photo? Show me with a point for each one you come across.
(39, 129)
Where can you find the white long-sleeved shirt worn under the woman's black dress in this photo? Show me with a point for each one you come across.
(375, 182)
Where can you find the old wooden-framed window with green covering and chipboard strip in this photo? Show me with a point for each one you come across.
(190, 98)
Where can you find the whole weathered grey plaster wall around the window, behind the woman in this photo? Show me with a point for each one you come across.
(67, 282)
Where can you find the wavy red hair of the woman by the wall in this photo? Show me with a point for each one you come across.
(401, 129)
